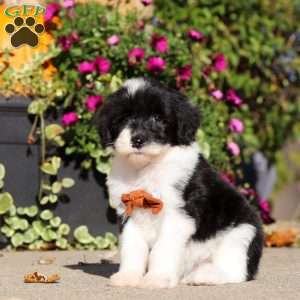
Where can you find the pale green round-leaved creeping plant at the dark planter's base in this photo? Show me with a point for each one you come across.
(30, 228)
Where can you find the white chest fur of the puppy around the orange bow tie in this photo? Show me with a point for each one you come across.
(160, 179)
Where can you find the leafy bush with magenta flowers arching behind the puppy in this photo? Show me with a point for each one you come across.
(235, 82)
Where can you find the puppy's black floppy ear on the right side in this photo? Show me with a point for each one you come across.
(187, 120)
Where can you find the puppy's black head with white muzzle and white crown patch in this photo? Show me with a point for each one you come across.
(143, 119)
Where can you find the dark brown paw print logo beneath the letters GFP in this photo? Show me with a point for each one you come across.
(24, 32)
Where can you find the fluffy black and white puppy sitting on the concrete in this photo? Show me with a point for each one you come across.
(206, 232)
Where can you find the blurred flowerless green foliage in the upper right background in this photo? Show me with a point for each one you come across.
(263, 61)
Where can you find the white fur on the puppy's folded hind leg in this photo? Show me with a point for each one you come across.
(221, 259)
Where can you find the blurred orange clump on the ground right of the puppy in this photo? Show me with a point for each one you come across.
(281, 238)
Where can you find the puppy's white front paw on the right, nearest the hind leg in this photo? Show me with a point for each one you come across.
(155, 281)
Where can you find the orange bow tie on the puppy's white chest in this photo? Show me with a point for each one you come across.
(141, 199)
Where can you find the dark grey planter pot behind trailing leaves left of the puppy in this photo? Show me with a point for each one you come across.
(86, 203)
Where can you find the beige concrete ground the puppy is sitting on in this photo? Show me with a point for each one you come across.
(83, 277)
